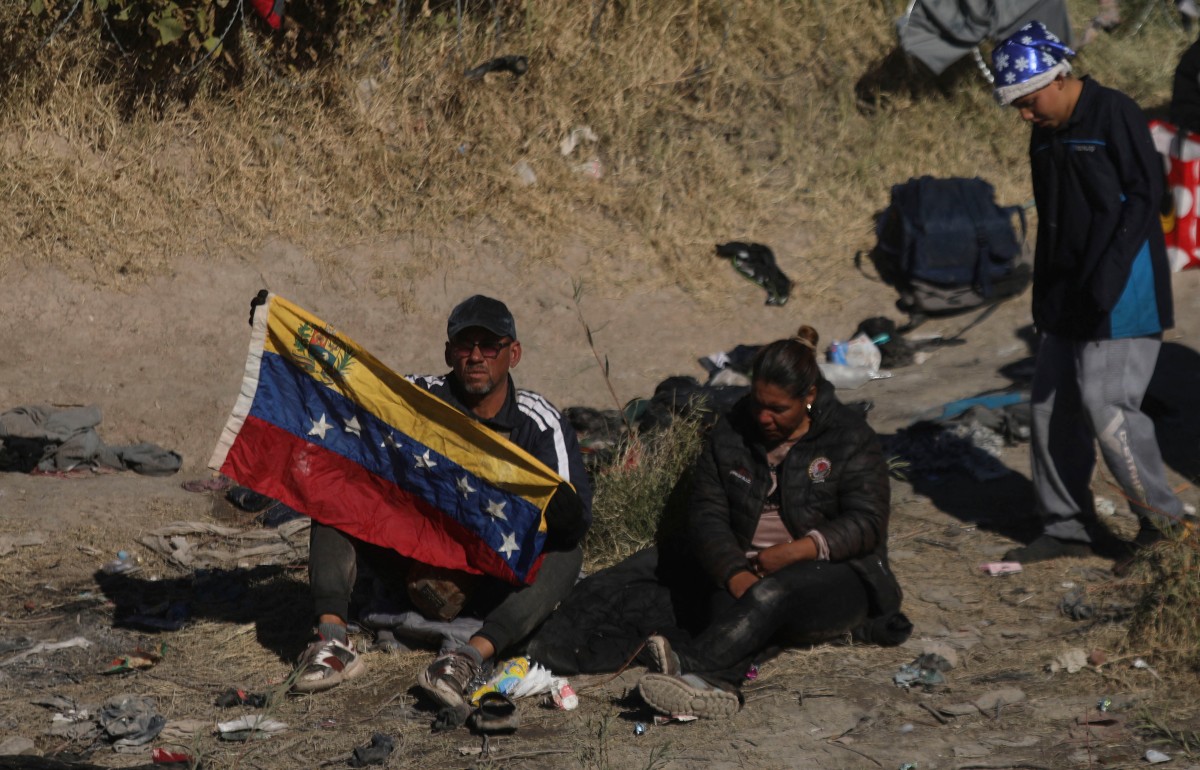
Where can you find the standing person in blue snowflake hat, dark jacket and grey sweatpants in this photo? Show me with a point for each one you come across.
(1102, 297)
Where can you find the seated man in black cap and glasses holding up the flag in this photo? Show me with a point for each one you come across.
(481, 351)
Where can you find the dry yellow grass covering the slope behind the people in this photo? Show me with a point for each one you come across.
(716, 121)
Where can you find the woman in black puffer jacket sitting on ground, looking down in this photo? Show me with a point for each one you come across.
(789, 519)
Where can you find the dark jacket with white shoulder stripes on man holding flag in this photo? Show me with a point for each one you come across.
(535, 425)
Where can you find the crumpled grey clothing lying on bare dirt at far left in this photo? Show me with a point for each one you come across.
(67, 438)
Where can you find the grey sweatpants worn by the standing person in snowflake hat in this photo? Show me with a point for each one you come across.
(1093, 390)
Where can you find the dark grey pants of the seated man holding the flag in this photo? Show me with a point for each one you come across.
(511, 613)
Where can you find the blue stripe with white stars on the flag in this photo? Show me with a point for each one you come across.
(295, 401)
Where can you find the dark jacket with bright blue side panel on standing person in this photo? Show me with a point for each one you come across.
(1101, 269)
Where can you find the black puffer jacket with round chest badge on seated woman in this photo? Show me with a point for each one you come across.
(835, 480)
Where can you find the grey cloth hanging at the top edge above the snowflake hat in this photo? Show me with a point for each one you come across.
(939, 33)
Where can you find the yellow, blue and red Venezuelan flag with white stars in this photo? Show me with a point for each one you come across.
(327, 429)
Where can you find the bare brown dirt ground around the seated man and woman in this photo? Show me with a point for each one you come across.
(164, 362)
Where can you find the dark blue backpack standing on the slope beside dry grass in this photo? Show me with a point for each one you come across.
(946, 246)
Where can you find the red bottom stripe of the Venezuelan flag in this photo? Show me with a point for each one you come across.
(341, 494)
